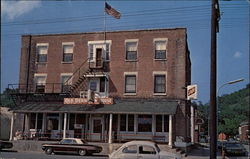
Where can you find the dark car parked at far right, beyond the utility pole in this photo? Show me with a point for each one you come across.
(232, 148)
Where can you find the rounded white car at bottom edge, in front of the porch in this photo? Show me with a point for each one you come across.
(141, 150)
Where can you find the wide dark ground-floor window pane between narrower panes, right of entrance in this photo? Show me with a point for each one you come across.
(145, 123)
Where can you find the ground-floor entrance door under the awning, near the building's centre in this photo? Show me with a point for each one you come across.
(97, 129)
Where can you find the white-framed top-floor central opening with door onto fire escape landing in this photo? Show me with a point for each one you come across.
(95, 47)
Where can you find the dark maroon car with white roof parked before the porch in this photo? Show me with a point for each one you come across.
(71, 145)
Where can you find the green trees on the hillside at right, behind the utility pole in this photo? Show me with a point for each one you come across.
(232, 110)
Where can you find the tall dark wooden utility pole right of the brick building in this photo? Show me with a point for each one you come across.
(213, 79)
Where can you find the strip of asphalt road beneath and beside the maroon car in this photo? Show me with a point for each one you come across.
(39, 155)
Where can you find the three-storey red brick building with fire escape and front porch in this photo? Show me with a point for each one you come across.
(129, 86)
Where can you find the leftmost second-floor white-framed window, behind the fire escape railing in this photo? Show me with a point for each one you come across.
(40, 82)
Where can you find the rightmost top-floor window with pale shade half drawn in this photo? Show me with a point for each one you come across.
(160, 49)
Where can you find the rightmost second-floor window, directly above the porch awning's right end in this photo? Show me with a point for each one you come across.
(160, 84)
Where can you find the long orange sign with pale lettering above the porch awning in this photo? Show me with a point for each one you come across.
(85, 101)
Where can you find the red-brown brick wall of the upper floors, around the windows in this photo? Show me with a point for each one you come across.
(175, 65)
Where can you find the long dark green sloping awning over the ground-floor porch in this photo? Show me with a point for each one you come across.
(124, 106)
